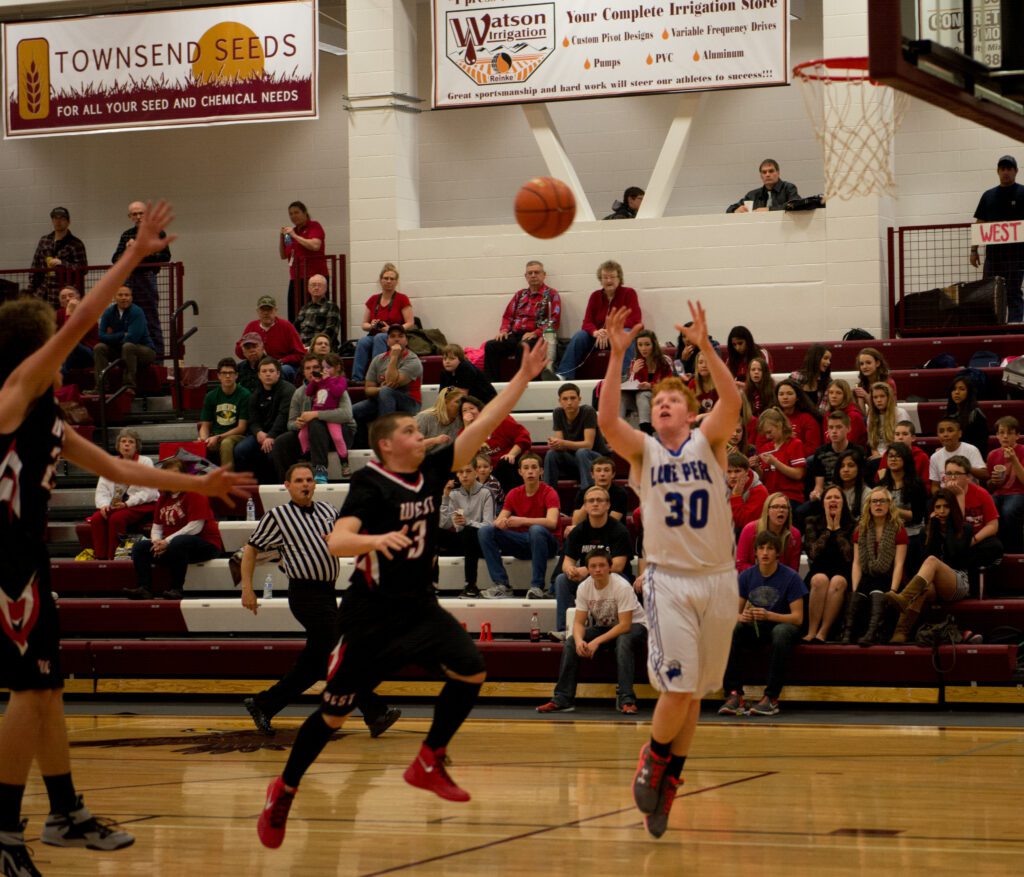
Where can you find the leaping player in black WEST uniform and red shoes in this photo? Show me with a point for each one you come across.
(391, 616)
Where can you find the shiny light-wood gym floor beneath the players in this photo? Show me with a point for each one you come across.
(551, 799)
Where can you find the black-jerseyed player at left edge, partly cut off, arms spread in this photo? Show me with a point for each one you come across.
(32, 440)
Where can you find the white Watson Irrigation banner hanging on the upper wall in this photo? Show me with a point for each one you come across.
(511, 52)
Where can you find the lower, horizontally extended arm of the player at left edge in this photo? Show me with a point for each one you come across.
(220, 483)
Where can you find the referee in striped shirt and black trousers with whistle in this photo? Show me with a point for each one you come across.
(300, 530)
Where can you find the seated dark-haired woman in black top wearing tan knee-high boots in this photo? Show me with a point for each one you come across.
(944, 575)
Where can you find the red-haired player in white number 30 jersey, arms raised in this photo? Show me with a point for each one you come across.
(691, 588)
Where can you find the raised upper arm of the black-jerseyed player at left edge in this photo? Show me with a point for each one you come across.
(35, 375)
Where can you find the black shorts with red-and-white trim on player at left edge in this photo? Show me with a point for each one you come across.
(30, 639)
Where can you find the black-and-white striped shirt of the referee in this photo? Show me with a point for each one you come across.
(301, 534)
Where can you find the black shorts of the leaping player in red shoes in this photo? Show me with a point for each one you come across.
(375, 644)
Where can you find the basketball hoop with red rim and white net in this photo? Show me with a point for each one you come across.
(856, 120)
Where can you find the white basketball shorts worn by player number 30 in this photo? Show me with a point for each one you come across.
(691, 621)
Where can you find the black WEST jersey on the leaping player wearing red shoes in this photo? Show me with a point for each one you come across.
(388, 502)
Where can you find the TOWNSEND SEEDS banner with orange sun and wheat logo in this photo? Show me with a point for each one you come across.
(184, 67)
